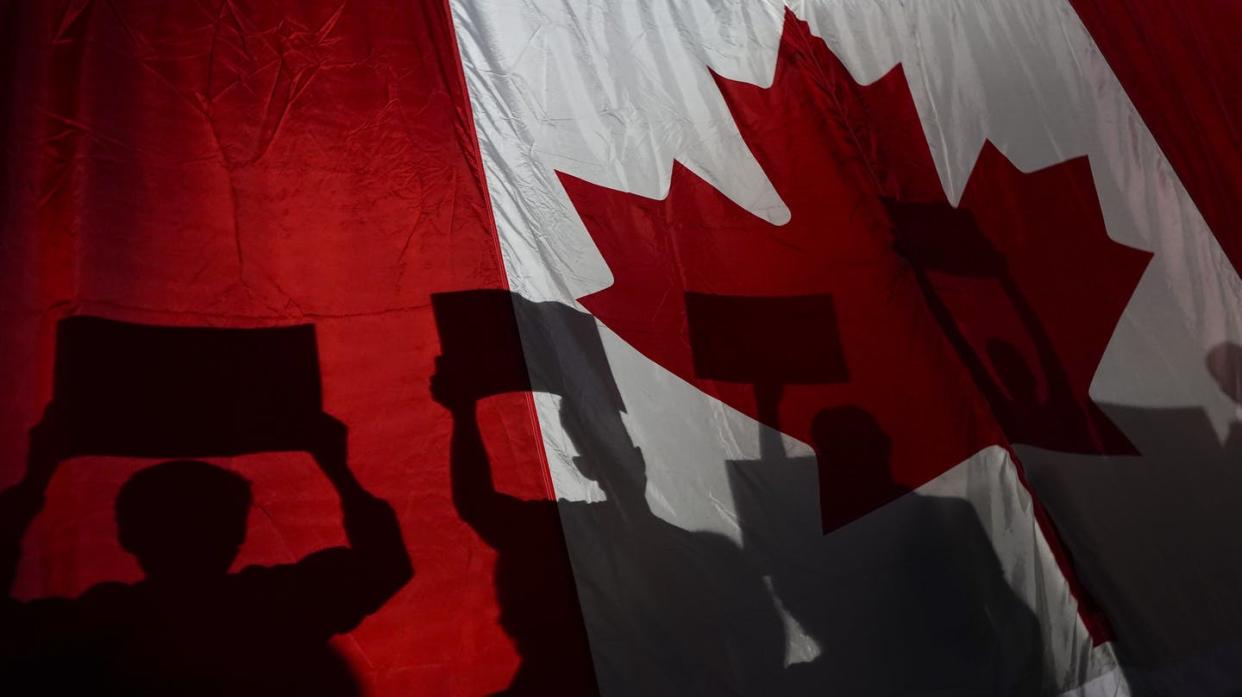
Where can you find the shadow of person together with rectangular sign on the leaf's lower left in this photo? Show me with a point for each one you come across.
(905, 599)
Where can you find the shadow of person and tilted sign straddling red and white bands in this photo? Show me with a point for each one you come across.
(671, 612)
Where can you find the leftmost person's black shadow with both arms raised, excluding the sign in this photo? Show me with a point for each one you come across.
(191, 627)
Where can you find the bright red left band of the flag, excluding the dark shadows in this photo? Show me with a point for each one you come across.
(250, 165)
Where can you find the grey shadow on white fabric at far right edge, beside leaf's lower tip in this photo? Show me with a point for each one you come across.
(1156, 536)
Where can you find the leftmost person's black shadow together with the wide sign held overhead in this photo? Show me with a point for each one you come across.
(191, 627)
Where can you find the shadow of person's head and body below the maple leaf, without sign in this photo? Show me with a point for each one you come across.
(930, 611)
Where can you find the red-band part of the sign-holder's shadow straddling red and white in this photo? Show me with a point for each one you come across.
(481, 356)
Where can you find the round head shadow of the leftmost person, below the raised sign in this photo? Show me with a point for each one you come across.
(184, 521)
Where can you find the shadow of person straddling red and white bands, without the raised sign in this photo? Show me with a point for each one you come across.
(687, 611)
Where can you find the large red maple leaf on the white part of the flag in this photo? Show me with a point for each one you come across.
(901, 334)
